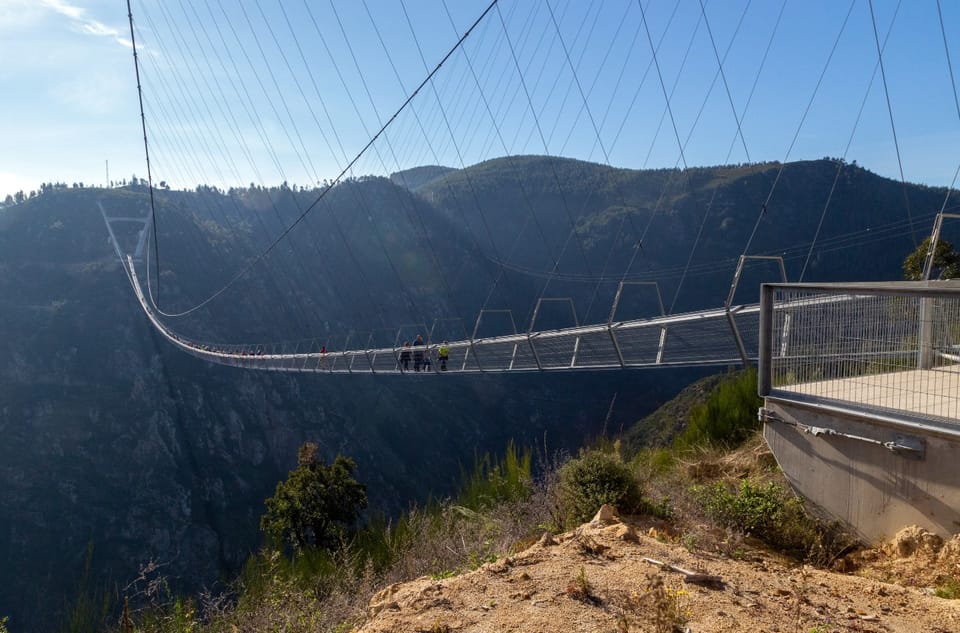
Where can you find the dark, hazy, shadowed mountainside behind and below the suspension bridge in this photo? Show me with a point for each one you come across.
(111, 437)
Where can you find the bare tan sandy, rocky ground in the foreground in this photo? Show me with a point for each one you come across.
(622, 575)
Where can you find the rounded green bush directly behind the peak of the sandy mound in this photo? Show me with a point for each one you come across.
(593, 479)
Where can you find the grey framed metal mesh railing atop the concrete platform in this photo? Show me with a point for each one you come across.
(889, 348)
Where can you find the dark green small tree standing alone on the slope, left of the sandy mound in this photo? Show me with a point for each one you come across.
(317, 505)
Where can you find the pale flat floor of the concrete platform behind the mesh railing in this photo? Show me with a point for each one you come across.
(927, 393)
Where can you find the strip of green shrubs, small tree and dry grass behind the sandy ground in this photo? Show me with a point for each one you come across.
(327, 578)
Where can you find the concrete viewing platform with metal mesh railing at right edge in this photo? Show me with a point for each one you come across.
(861, 388)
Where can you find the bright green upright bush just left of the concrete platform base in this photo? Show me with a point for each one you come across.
(728, 418)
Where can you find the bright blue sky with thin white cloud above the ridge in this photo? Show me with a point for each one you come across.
(238, 91)
